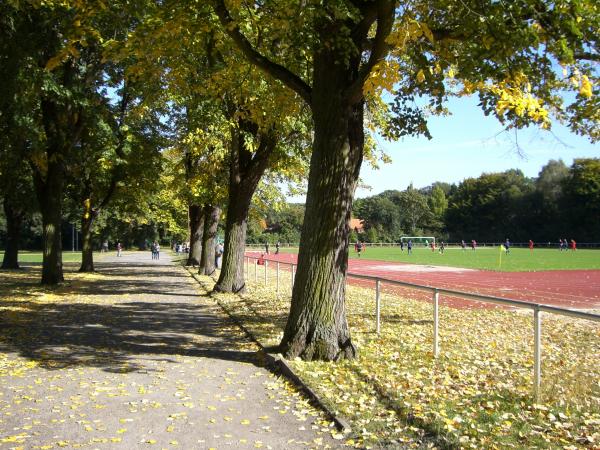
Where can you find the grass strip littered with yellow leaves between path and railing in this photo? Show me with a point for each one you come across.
(477, 394)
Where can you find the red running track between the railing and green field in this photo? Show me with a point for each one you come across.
(575, 289)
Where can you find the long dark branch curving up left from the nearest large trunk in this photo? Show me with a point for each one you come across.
(275, 70)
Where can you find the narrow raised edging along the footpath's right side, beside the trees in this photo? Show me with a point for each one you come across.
(279, 363)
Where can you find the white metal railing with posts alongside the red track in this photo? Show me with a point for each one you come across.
(537, 308)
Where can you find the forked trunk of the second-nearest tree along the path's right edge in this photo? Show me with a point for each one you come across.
(246, 170)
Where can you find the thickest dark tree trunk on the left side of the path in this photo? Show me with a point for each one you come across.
(50, 198)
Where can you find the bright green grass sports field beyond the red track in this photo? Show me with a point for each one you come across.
(488, 258)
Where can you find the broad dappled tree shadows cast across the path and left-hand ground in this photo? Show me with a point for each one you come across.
(116, 337)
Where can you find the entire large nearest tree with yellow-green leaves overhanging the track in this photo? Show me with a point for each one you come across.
(354, 50)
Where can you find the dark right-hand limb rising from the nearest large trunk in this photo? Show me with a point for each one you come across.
(379, 50)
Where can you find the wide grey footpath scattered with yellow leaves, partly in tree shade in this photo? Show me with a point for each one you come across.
(134, 356)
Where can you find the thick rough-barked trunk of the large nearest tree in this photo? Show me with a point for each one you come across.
(317, 326)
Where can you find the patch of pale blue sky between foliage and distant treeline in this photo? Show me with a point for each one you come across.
(467, 144)
